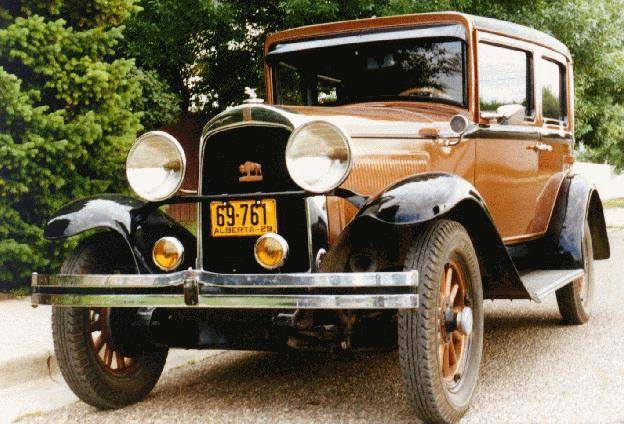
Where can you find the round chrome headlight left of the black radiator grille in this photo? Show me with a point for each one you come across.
(155, 166)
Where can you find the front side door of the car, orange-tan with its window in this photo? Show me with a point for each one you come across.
(507, 153)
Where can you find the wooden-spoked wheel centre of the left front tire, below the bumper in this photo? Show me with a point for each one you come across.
(101, 342)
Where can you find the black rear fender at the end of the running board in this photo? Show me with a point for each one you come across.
(560, 248)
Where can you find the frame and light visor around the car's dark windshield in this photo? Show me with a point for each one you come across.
(441, 32)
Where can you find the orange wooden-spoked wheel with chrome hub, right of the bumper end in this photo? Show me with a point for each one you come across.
(455, 323)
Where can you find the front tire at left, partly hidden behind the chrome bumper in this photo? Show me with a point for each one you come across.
(107, 379)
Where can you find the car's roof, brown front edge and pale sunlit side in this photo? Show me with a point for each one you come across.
(496, 26)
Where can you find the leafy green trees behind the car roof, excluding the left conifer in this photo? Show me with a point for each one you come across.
(209, 51)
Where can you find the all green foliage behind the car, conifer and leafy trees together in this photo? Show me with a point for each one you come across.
(71, 101)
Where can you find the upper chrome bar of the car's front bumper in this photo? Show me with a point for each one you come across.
(257, 281)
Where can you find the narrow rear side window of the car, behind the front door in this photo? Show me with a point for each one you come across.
(554, 101)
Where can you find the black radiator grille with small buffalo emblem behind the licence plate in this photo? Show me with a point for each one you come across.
(223, 153)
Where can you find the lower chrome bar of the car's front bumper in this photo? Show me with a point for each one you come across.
(394, 301)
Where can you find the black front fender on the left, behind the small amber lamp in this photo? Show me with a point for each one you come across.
(139, 224)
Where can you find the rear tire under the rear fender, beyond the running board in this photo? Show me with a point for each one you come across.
(574, 300)
